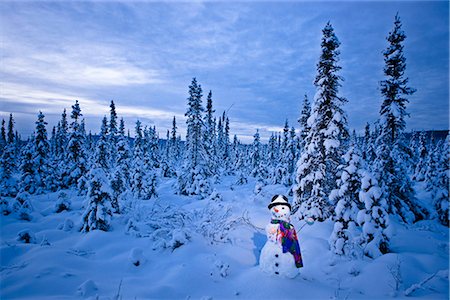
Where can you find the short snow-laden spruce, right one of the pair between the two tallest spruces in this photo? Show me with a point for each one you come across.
(374, 219)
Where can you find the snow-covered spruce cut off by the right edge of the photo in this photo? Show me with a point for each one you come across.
(440, 190)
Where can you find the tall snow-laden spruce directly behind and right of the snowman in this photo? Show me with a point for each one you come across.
(325, 142)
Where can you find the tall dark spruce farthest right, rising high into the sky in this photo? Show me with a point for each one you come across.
(389, 166)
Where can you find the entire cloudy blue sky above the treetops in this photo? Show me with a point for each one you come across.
(258, 58)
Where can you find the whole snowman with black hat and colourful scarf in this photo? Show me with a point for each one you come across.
(281, 255)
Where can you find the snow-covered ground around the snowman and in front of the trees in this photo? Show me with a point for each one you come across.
(62, 263)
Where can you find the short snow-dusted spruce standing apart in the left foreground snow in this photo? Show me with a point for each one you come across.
(98, 210)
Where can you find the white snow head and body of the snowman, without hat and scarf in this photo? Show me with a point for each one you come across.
(273, 260)
